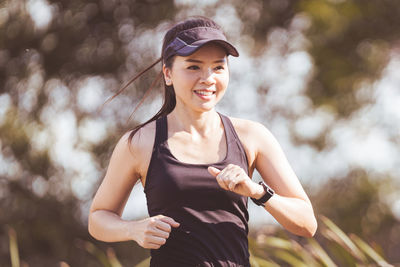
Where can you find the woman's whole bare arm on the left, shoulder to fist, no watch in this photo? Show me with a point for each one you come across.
(124, 170)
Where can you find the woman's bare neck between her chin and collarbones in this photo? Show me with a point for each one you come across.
(197, 123)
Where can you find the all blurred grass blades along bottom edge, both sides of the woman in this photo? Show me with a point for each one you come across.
(335, 248)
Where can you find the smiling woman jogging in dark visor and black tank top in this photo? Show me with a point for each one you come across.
(196, 165)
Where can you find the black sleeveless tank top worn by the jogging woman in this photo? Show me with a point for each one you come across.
(213, 222)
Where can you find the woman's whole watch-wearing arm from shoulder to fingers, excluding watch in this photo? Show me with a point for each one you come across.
(290, 205)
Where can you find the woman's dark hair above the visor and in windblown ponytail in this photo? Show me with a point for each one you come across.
(169, 93)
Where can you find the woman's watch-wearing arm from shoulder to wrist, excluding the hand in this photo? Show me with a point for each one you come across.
(290, 205)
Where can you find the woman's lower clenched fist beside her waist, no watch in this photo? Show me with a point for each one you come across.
(153, 232)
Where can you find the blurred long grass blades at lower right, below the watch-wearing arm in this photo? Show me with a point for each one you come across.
(282, 251)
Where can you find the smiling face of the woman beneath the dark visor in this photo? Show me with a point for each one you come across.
(200, 80)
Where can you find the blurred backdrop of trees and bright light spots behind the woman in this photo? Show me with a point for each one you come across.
(322, 75)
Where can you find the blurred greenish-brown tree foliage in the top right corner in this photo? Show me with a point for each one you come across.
(350, 45)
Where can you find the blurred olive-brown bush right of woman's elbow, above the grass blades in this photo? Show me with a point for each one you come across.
(360, 204)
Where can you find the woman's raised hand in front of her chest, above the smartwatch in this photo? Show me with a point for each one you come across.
(233, 178)
